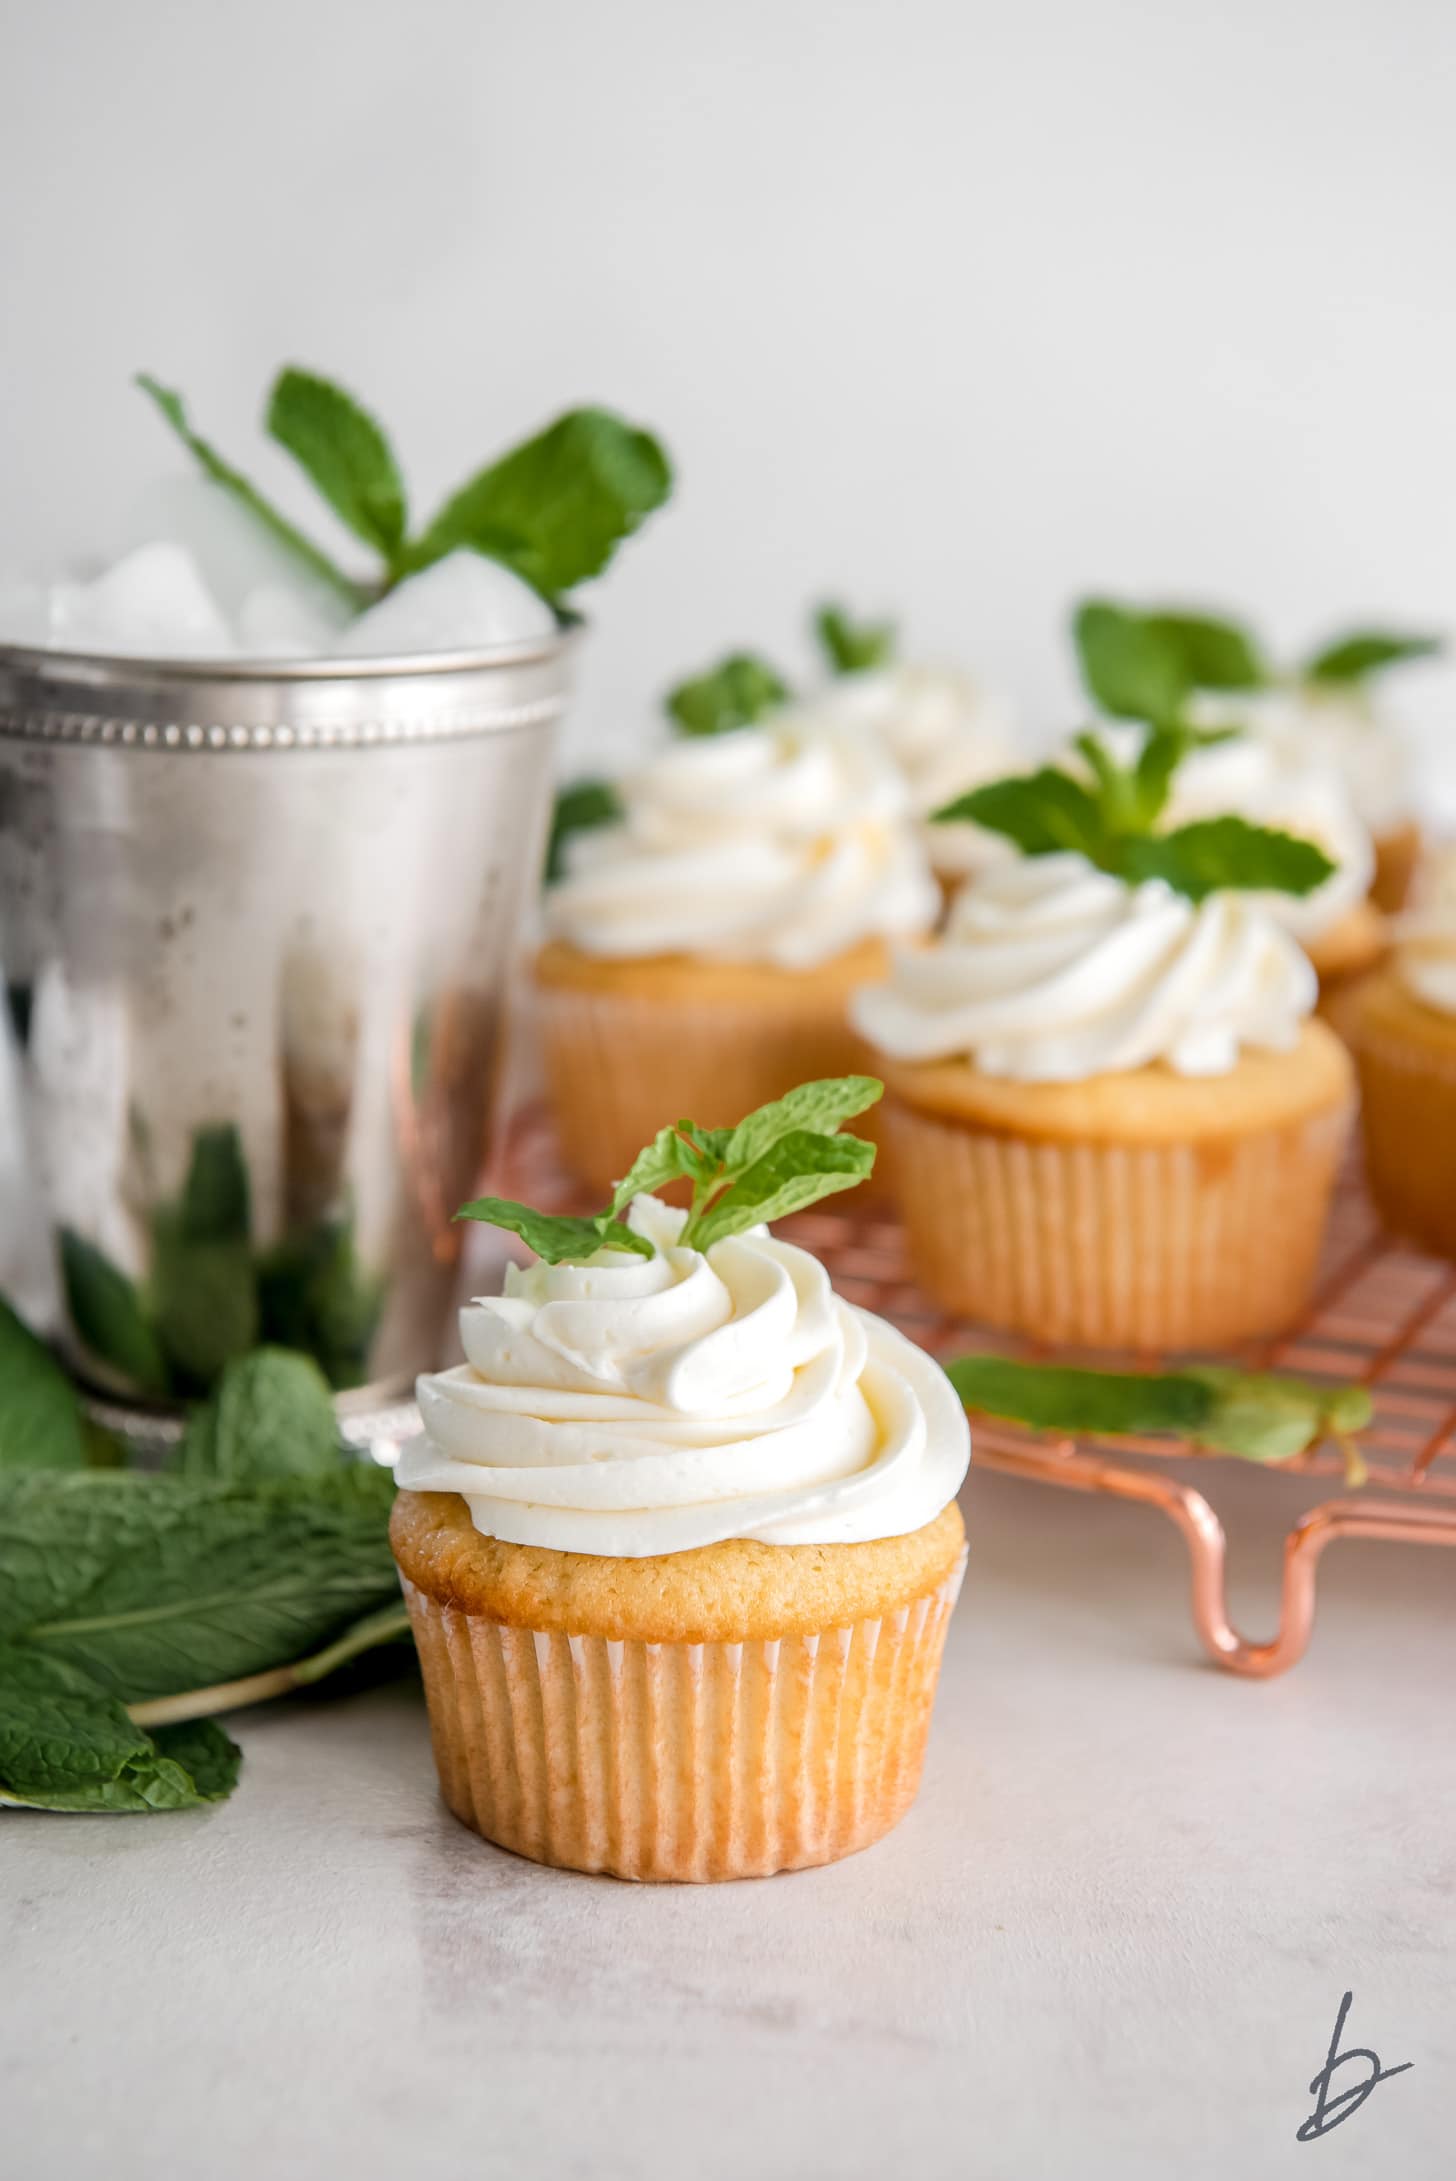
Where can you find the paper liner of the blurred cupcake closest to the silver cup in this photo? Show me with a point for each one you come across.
(622, 1065)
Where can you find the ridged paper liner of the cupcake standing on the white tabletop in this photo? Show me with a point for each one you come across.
(681, 1761)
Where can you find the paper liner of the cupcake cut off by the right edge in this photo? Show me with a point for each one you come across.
(1409, 1116)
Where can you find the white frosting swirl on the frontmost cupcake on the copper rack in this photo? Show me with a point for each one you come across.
(1054, 972)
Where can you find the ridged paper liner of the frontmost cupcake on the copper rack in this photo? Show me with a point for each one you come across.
(1117, 1246)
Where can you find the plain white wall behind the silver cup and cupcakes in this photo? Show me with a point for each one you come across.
(958, 309)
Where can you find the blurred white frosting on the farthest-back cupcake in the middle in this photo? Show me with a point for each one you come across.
(943, 734)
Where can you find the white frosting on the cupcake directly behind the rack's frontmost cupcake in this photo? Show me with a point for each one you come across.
(1252, 778)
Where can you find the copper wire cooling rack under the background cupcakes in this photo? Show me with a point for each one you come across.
(1383, 1316)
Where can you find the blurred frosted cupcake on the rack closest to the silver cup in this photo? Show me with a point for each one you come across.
(701, 945)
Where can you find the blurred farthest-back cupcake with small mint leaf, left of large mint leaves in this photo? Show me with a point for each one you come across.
(938, 727)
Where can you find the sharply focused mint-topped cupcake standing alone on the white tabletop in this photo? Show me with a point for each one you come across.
(681, 1537)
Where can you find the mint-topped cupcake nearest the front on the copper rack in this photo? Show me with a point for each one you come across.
(1108, 1111)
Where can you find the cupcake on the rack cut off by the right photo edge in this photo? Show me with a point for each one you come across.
(1405, 1039)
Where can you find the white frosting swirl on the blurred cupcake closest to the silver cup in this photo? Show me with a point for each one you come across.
(777, 843)
